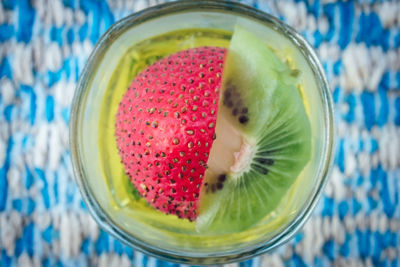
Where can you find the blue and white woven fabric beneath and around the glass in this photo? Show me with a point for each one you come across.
(43, 47)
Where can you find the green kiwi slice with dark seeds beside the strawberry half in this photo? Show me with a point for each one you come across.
(263, 138)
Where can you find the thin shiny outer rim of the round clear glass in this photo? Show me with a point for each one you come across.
(104, 220)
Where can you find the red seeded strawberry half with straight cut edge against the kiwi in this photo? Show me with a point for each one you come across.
(165, 126)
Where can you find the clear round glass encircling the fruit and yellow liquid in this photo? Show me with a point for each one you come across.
(171, 240)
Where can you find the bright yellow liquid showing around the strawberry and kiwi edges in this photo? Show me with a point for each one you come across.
(123, 195)
